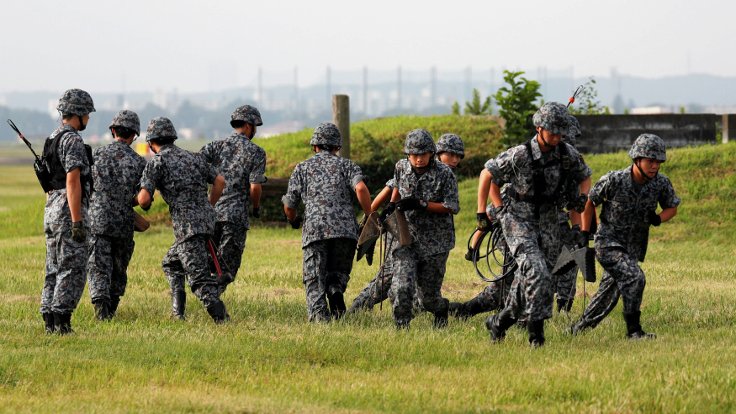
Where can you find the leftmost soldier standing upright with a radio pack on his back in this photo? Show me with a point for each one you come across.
(68, 161)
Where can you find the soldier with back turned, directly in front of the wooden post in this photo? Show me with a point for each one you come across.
(324, 183)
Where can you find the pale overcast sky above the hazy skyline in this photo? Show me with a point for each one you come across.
(146, 45)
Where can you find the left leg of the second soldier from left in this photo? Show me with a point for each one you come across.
(100, 267)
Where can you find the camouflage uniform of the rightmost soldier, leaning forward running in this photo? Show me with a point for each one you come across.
(622, 239)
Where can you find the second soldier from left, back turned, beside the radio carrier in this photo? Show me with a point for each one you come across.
(117, 173)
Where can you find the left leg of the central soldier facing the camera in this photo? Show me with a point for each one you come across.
(403, 284)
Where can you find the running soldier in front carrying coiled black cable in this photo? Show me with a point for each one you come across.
(537, 173)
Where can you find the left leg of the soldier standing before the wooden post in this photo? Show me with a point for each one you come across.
(315, 281)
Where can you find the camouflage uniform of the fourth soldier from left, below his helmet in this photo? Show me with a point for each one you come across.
(242, 163)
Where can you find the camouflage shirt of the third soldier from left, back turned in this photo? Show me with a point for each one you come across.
(182, 179)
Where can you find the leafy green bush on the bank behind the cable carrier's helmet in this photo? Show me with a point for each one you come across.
(516, 102)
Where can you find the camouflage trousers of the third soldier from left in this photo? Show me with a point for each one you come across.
(188, 260)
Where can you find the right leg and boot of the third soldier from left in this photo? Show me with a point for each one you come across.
(195, 261)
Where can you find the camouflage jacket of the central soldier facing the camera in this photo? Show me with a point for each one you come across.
(431, 233)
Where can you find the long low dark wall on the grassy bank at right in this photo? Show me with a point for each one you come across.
(611, 133)
